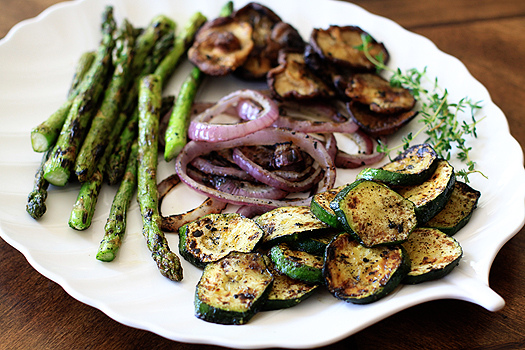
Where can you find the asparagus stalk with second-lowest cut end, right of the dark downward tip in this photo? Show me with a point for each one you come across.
(84, 207)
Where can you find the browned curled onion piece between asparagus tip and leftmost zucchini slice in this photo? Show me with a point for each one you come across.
(172, 223)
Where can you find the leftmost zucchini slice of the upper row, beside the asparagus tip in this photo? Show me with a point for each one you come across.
(214, 236)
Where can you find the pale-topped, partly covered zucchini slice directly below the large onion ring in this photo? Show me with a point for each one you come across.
(287, 224)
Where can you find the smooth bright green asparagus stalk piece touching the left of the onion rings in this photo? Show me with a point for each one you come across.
(176, 132)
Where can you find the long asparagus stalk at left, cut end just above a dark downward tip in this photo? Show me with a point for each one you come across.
(58, 168)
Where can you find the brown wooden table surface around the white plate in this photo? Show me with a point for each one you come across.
(489, 37)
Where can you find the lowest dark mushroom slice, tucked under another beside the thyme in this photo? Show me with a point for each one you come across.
(378, 124)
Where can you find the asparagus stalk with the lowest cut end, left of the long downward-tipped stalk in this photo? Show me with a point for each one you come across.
(115, 227)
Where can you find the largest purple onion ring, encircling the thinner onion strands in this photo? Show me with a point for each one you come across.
(262, 137)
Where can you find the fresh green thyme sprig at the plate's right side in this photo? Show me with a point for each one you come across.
(442, 126)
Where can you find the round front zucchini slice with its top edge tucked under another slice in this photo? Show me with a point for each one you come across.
(360, 275)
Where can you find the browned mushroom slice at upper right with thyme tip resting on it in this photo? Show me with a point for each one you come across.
(339, 45)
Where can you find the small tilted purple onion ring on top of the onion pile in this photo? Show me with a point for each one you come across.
(201, 128)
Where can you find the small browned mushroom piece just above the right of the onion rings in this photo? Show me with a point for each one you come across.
(292, 79)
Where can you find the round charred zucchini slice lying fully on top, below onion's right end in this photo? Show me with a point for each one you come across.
(374, 213)
